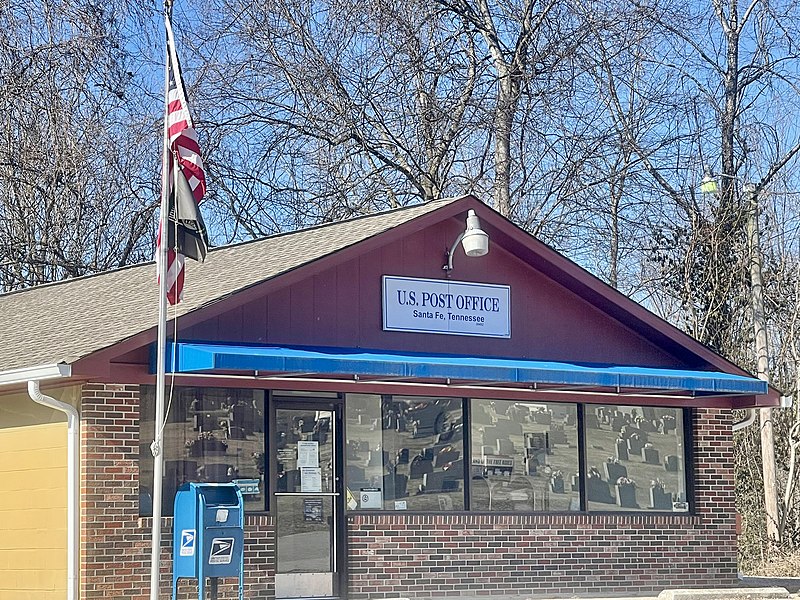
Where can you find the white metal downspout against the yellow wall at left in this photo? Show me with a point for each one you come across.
(73, 500)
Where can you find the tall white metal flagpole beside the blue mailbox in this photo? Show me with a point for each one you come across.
(158, 447)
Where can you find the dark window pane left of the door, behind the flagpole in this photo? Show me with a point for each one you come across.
(212, 435)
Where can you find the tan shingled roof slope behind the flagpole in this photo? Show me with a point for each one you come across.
(65, 321)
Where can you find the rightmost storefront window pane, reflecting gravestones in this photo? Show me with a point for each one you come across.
(635, 458)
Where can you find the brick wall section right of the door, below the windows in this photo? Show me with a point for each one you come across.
(469, 554)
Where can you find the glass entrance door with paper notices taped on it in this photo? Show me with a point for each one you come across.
(307, 499)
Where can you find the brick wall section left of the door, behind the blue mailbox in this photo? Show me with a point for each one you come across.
(115, 541)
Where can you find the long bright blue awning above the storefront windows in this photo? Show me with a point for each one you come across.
(469, 372)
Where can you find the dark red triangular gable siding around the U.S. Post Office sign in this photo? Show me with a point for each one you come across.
(342, 307)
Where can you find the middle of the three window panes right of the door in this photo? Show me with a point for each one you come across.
(524, 456)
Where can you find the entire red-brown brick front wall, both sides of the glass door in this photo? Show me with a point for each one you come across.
(420, 555)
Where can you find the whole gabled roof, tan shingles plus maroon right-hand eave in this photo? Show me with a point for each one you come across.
(114, 312)
